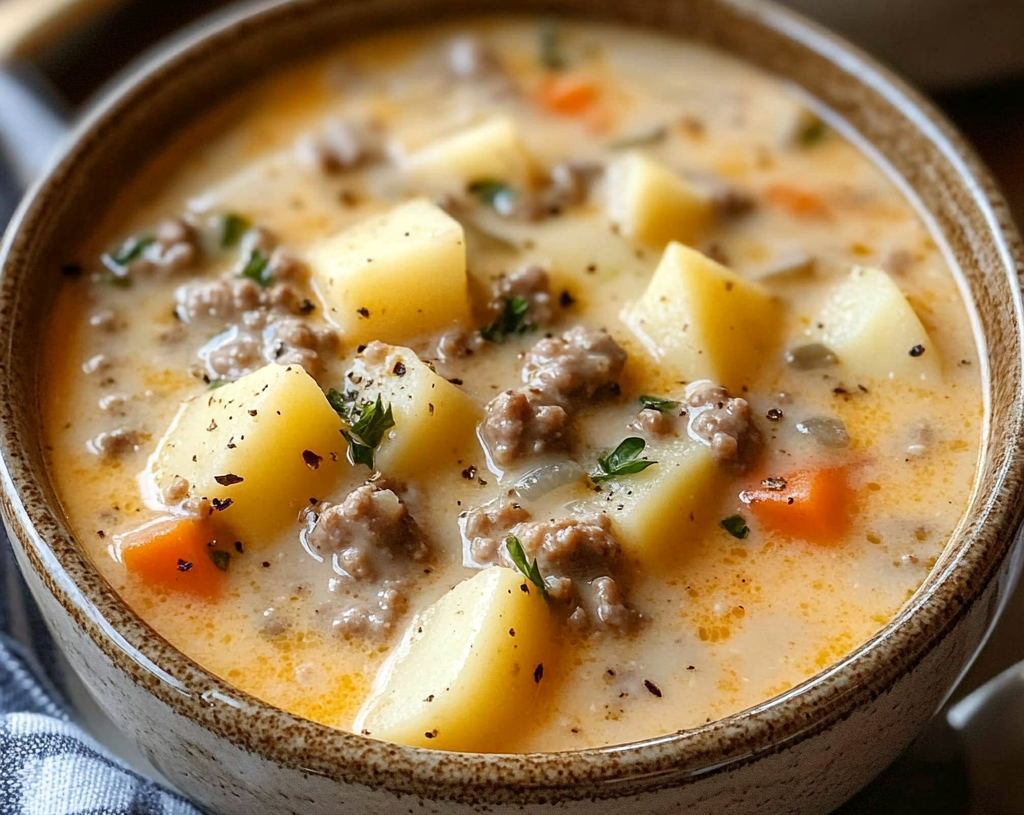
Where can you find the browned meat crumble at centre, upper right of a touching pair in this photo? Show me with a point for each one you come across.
(573, 368)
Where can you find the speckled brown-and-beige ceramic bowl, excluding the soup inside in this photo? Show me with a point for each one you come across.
(804, 752)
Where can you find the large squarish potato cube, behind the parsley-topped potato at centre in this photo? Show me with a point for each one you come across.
(395, 277)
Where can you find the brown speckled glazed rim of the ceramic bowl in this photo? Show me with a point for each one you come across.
(985, 539)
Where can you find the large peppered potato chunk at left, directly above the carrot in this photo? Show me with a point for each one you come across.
(268, 444)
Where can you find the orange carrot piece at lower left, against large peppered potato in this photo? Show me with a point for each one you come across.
(175, 555)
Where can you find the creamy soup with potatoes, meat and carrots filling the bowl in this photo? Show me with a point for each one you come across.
(516, 385)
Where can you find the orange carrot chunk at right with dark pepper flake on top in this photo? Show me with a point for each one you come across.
(810, 505)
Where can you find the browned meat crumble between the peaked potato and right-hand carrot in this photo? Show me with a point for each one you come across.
(724, 423)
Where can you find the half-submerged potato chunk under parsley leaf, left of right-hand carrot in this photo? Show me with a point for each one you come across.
(656, 512)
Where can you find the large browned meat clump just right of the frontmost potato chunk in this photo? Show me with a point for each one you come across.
(576, 556)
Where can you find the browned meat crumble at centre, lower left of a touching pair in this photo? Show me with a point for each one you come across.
(517, 426)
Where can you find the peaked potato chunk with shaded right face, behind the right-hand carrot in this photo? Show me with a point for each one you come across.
(701, 321)
